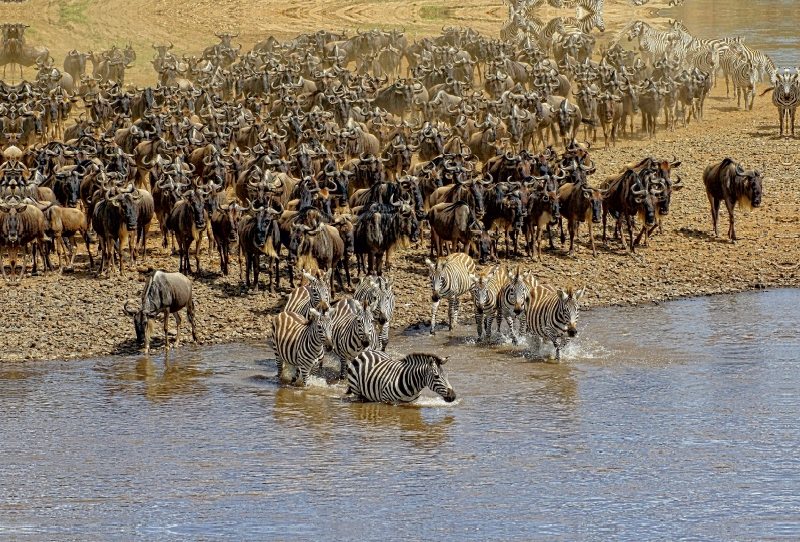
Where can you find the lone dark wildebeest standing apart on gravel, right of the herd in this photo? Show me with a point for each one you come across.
(728, 182)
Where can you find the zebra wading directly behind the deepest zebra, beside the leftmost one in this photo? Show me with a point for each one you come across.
(353, 330)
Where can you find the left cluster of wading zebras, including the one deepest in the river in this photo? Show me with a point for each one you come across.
(356, 330)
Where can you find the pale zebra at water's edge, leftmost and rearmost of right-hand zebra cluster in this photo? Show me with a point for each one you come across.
(449, 279)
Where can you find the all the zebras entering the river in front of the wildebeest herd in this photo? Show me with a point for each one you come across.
(356, 330)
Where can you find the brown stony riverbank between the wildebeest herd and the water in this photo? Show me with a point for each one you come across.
(79, 315)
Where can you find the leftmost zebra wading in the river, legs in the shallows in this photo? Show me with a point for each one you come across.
(300, 343)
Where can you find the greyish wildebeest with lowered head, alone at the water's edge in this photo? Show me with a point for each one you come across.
(163, 294)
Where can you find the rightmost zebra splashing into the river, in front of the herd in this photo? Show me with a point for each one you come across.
(553, 314)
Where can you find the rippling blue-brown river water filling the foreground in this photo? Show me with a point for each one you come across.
(677, 420)
